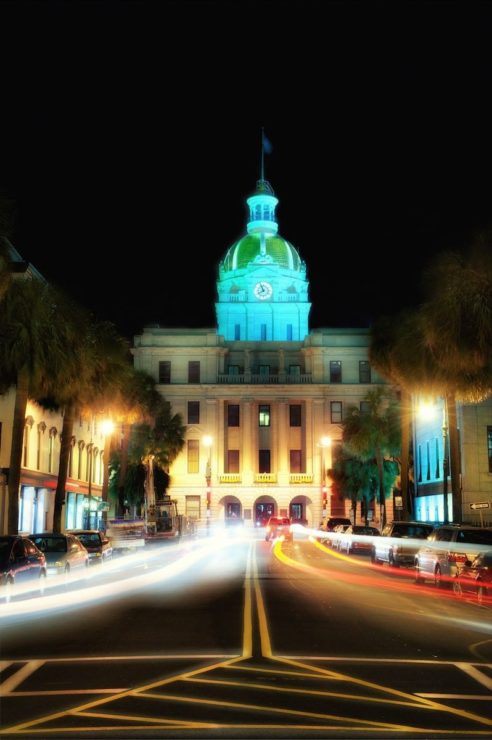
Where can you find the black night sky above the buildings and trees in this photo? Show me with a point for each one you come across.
(130, 137)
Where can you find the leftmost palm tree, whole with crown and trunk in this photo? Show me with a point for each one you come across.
(33, 352)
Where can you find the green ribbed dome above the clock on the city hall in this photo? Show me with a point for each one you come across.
(246, 250)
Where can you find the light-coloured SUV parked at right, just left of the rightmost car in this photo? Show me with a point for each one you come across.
(450, 545)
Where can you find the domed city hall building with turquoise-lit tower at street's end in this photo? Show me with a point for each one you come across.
(262, 396)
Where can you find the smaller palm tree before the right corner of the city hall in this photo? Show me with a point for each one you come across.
(374, 434)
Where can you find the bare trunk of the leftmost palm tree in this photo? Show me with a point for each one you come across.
(18, 427)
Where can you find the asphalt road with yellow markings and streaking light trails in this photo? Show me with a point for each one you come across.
(241, 638)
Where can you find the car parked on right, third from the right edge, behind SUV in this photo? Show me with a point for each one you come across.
(384, 549)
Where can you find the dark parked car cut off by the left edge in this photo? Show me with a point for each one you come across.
(20, 561)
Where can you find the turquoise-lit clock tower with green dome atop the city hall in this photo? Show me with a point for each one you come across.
(262, 286)
